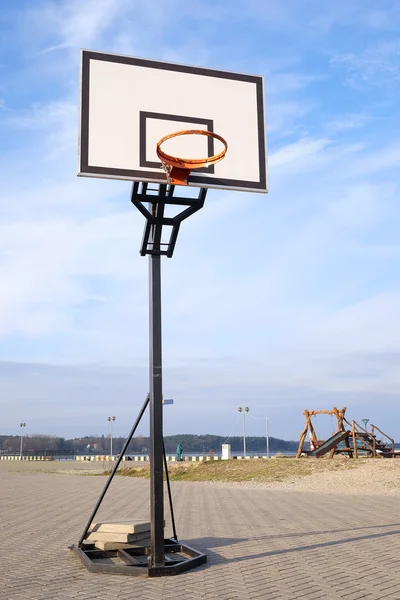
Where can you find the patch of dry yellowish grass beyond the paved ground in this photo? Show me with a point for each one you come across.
(277, 469)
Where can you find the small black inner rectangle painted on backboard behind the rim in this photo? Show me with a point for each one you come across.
(179, 119)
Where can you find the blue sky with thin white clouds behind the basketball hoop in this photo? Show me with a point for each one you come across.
(281, 302)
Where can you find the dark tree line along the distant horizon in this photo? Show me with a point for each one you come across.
(93, 444)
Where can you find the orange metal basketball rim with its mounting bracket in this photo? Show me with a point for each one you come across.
(179, 169)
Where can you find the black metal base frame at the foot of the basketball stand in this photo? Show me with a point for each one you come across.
(135, 560)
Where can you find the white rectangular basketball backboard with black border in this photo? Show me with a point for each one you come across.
(128, 104)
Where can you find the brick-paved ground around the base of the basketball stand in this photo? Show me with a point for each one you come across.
(260, 543)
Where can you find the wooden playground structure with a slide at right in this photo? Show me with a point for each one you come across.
(349, 438)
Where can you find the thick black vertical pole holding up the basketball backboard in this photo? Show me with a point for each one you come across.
(156, 416)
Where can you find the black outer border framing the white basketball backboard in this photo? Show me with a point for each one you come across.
(158, 175)
